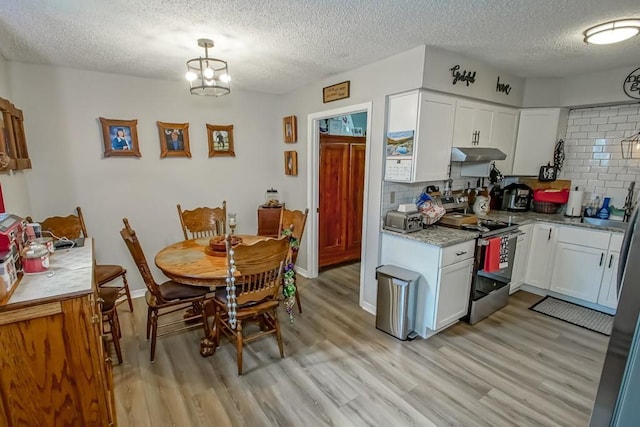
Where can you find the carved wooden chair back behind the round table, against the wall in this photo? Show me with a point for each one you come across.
(203, 222)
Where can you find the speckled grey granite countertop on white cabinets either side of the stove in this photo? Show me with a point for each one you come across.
(437, 235)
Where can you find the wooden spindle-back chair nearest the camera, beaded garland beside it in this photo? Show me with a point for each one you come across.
(257, 286)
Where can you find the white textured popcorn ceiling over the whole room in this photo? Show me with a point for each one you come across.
(276, 46)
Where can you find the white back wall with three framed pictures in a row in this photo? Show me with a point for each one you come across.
(62, 107)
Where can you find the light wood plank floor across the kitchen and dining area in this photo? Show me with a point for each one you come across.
(516, 368)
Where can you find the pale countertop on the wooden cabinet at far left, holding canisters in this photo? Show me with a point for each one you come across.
(70, 272)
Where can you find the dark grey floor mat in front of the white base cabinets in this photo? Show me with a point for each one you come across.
(581, 316)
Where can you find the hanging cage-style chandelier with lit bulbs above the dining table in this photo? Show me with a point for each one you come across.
(208, 76)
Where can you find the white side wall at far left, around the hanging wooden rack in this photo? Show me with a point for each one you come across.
(14, 184)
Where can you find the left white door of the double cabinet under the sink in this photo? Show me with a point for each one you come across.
(577, 271)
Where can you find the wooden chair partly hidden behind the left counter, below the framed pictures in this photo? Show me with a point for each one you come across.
(72, 227)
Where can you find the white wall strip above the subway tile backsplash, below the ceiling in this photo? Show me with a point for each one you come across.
(584, 90)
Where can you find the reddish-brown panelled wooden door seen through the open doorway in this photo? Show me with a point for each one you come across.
(341, 183)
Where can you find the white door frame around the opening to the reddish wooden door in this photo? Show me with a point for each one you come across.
(313, 178)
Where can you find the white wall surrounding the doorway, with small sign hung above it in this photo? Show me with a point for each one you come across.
(371, 83)
